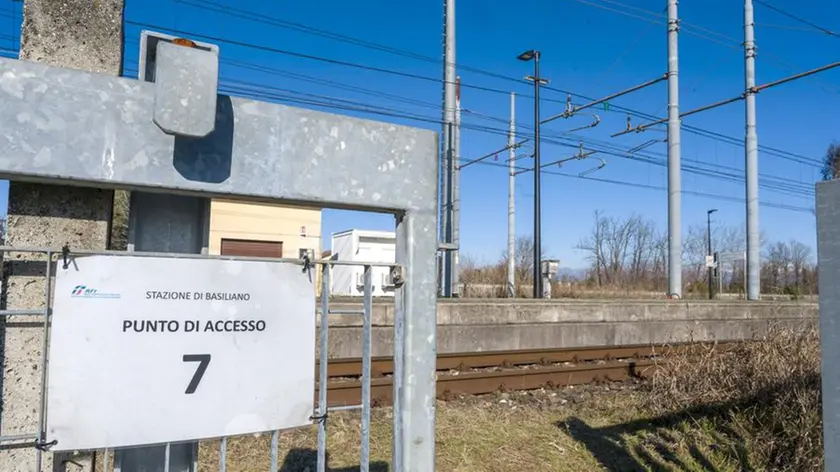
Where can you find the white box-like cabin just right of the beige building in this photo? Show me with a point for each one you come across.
(362, 246)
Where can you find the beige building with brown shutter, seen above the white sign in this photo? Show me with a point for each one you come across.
(263, 230)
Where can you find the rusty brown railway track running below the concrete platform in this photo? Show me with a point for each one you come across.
(486, 372)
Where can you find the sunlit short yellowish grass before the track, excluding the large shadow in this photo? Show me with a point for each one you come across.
(469, 439)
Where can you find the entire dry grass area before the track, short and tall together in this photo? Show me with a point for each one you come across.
(755, 407)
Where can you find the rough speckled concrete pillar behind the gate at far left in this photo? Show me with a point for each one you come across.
(77, 34)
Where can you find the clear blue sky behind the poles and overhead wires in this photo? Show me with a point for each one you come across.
(586, 50)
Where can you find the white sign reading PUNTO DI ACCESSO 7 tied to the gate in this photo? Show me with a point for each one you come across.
(147, 350)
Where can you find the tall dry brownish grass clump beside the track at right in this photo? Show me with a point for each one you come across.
(763, 395)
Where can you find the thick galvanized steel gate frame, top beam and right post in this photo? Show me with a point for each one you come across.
(269, 153)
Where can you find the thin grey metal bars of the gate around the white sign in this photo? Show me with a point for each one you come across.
(59, 258)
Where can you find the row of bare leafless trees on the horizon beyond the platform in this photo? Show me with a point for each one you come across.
(632, 253)
